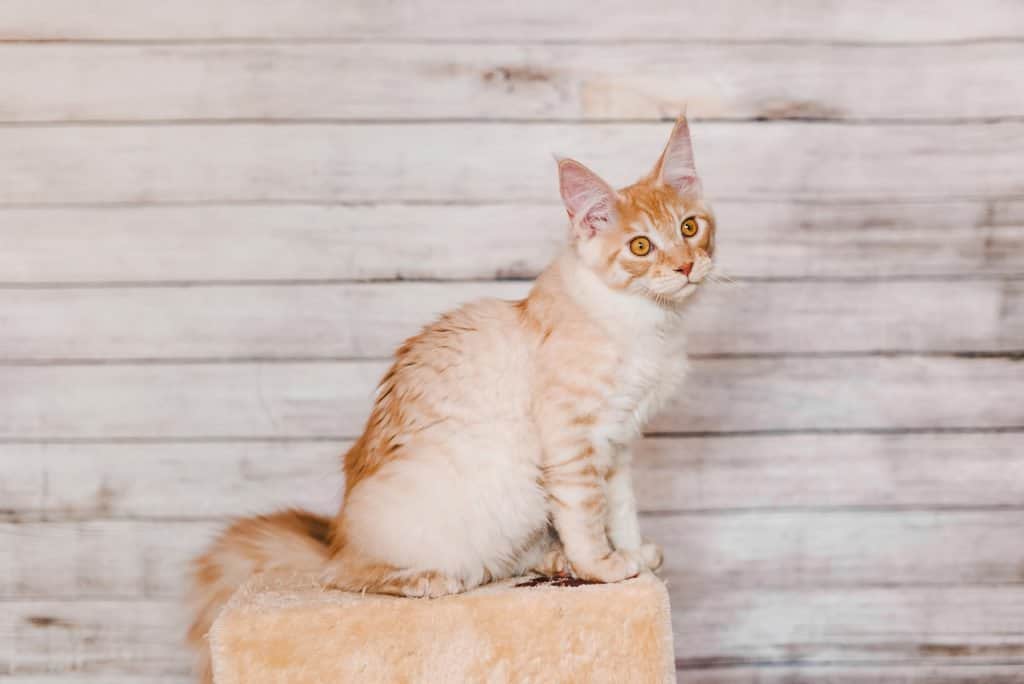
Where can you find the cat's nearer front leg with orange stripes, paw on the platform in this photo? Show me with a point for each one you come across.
(579, 511)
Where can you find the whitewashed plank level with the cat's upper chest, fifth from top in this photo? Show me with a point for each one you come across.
(370, 321)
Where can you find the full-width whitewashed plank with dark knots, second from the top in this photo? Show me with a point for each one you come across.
(525, 82)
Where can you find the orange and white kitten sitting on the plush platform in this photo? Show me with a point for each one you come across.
(499, 441)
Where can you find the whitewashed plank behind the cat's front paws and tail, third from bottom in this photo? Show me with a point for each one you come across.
(713, 552)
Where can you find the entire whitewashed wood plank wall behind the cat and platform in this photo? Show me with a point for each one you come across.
(218, 219)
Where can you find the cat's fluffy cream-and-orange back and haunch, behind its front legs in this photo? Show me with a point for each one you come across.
(450, 451)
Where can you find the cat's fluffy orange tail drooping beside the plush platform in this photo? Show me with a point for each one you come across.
(291, 540)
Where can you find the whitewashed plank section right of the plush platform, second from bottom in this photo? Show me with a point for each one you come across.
(833, 627)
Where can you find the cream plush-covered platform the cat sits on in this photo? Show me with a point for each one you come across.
(285, 629)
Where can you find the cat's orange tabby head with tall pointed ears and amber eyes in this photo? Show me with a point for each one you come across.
(657, 237)
